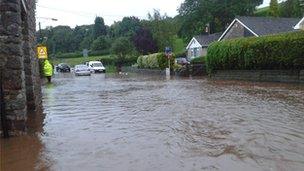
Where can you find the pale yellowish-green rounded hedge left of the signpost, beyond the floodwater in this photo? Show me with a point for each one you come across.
(154, 61)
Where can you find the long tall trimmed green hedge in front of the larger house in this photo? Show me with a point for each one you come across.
(284, 51)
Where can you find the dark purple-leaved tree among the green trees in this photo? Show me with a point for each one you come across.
(144, 42)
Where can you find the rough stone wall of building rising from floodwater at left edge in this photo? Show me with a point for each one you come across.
(18, 62)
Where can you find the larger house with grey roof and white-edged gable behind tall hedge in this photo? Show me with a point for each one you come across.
(258, 26)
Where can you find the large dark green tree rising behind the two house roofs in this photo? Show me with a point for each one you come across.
(196, 14)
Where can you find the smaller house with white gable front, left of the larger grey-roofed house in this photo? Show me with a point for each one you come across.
(199, 44)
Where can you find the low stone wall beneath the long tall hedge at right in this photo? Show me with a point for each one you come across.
(287, 76)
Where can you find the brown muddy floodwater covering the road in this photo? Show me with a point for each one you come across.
(151, 123)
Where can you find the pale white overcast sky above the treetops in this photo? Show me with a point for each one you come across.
(72, 12)
